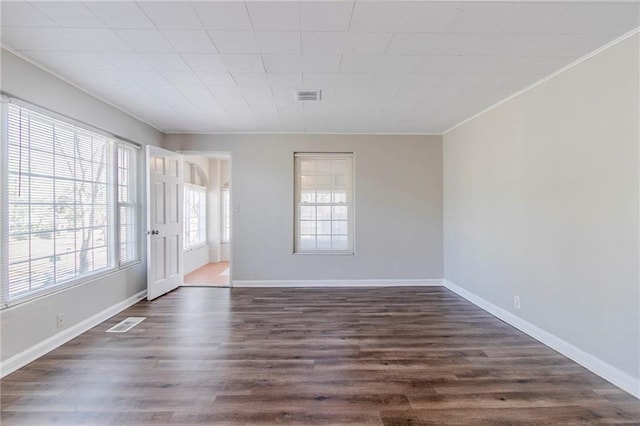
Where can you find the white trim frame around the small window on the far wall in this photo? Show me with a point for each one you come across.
(351, 249)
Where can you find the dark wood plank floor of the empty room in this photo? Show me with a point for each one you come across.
(394, 356)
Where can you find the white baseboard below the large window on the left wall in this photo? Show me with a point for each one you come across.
(25, 357)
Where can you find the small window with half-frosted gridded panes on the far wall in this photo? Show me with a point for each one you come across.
(324, 203)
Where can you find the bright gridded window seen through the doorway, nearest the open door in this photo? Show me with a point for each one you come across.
(195, 216)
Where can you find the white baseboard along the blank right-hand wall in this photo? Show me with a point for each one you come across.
(603, 369)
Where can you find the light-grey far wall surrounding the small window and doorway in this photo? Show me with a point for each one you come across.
(398, 205)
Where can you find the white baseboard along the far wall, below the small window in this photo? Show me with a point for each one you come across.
(336, 283)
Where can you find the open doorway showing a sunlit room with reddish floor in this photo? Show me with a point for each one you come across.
(207, 217)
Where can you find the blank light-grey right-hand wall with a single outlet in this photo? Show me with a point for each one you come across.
(541, 200)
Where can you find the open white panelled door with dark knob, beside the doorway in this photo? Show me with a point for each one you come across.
(164, 221)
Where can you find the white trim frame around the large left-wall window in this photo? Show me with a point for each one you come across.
(112, 219)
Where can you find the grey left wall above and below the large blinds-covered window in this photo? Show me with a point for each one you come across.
(28, 324)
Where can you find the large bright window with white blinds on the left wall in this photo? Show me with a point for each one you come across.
(68, 189)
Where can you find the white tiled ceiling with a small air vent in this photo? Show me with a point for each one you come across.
(383, 66)
